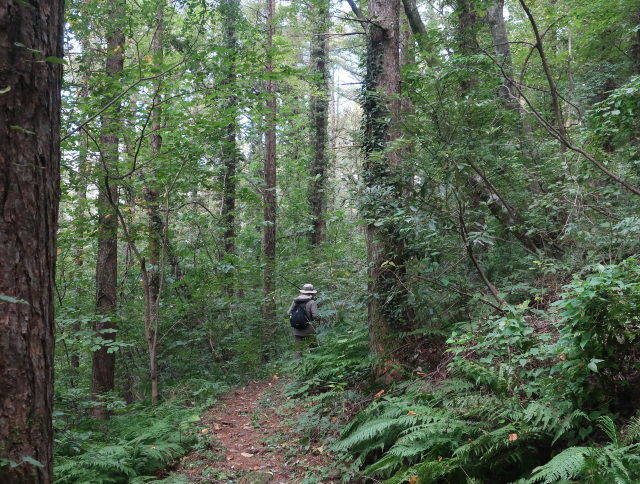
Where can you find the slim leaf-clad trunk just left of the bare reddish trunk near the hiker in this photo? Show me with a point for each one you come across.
(230, 10)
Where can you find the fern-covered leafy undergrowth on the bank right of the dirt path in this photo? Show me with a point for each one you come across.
(531, 396)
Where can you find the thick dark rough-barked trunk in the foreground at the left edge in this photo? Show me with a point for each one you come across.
(29, 195)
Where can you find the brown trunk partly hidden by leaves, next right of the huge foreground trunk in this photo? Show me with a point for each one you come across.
(107, 260)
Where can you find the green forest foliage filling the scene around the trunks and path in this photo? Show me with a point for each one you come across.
(526, 390)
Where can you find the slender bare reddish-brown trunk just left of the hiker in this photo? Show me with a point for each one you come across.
(269, 190)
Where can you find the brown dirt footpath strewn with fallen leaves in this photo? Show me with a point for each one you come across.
(252, 440)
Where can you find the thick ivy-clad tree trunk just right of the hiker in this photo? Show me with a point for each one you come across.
(381, 106)
